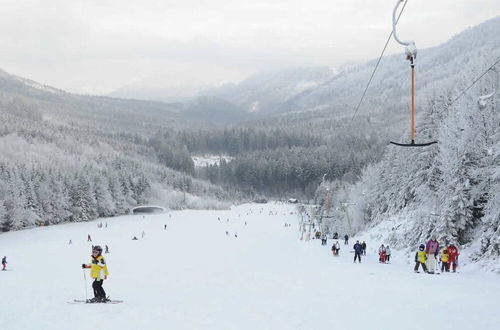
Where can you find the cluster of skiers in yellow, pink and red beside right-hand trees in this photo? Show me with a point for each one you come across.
(429, 255)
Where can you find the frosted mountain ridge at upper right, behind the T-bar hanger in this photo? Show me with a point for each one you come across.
(436, 67)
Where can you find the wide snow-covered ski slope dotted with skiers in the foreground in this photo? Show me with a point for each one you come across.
(193, 276)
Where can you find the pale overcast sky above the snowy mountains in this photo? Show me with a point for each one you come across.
(100, 45)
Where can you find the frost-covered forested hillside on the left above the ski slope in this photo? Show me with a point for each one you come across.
(73, 158)
